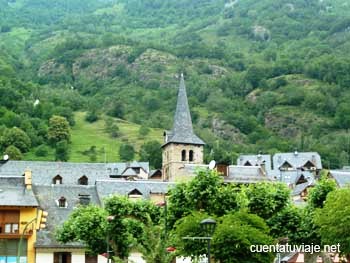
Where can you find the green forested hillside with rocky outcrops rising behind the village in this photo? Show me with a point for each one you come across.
(267, 75)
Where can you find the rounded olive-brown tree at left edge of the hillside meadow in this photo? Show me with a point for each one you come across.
(59, 129)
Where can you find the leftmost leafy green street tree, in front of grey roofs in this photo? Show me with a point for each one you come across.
(121, 220)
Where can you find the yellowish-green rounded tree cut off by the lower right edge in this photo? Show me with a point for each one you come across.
(332, 220)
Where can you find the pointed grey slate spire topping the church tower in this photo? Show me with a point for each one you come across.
(182, 130)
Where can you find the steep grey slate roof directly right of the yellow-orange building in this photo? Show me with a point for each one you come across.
(47, 197)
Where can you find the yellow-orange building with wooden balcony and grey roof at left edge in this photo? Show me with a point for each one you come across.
(18, 219)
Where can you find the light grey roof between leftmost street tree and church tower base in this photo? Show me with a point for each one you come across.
(107, 188)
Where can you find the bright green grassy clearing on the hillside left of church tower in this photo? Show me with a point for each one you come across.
(84, 135)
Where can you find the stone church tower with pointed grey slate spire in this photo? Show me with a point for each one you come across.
(181, 146)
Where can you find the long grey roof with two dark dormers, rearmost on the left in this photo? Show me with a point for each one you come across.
(44, 172)
